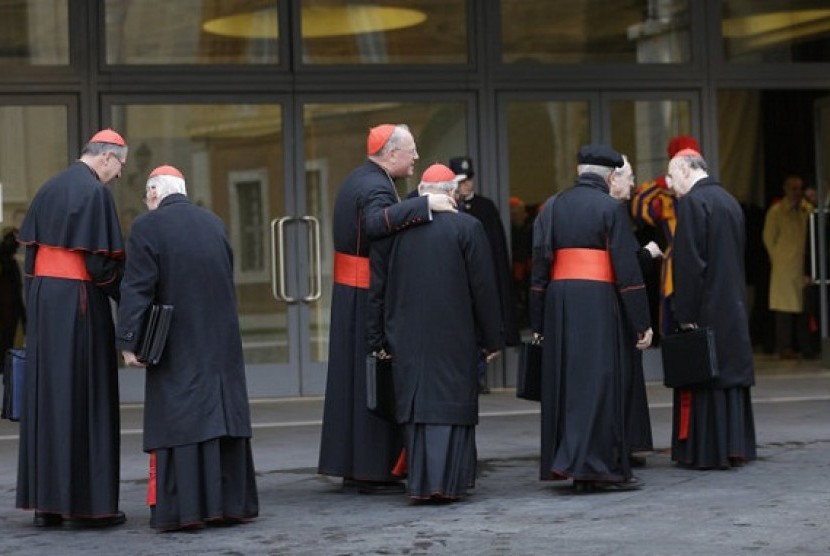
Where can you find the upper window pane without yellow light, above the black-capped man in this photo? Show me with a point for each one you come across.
(595, 31)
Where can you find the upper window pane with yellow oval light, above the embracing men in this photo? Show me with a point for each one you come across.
(394, 32)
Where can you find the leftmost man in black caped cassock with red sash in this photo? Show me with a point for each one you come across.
(69, 427)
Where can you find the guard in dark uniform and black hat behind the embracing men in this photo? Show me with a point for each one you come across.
(488, 214)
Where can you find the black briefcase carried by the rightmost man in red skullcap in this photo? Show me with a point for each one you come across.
(689, 358)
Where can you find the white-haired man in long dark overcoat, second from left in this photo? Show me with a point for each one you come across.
(197, 424)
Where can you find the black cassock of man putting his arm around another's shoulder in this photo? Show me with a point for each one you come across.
(354, 443)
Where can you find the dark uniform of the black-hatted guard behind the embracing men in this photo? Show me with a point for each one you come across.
(488, 214)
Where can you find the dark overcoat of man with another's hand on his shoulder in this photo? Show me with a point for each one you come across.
(432, 289)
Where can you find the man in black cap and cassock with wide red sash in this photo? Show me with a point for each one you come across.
(589, 306)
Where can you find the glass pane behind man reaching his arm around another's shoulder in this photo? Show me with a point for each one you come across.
(336, 144)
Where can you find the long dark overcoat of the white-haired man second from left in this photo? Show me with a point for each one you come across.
(179, 254)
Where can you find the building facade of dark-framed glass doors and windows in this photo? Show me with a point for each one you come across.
(265, 104)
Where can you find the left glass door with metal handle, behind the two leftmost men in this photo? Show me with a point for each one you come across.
(234, 161)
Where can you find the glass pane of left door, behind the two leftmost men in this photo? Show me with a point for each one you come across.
(231, 157)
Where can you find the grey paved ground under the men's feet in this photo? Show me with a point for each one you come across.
(779, 504)
